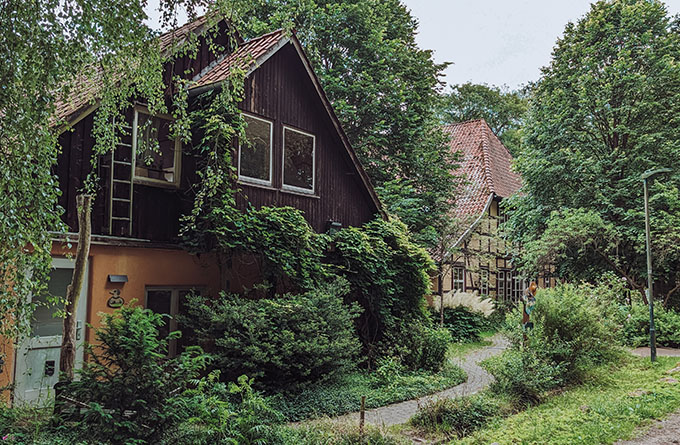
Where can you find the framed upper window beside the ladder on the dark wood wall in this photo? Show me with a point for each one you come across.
(157, 155)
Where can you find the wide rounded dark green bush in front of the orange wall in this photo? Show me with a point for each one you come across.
(284, 340)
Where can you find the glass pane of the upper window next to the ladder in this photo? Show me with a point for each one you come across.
(155, 149)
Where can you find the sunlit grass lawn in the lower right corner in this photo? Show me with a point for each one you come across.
(615, 401)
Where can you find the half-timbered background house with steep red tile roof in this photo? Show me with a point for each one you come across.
(483, 259)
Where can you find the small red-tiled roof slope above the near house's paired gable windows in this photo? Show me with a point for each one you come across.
(245, 57)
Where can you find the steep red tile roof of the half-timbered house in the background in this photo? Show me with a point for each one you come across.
(485, 164)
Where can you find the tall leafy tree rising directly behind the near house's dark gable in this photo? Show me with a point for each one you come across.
(385, 90)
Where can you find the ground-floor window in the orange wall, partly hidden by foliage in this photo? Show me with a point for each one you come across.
(169, 301)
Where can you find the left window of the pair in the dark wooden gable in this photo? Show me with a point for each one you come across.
(255, 154)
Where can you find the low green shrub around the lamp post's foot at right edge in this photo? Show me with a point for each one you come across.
(635, 330)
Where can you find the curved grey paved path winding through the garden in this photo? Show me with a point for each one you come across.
(477, 379)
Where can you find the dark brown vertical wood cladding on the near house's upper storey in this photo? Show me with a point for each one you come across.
(279, 90)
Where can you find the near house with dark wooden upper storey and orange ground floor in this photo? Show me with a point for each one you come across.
(299, 156)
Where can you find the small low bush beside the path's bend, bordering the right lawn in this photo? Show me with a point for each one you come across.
(524, 376)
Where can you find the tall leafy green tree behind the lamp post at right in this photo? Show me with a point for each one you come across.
(606, 109)
